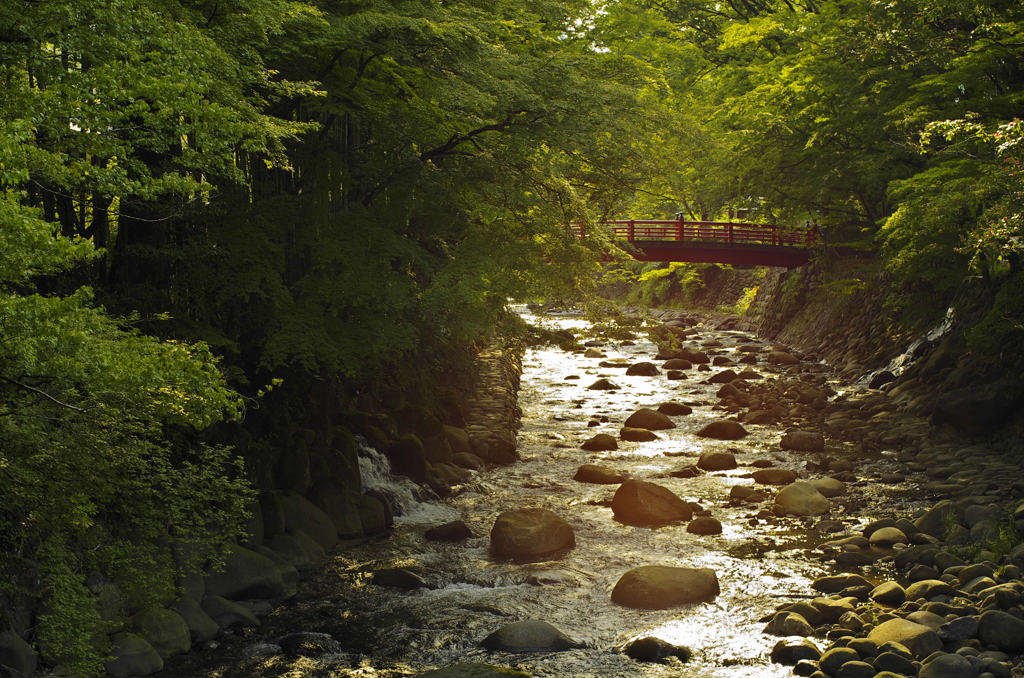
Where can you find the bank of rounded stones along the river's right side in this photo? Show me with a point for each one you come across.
(954, 606)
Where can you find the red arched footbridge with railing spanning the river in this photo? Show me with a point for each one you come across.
(712, 242)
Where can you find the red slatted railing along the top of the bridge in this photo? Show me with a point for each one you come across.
(704, 232)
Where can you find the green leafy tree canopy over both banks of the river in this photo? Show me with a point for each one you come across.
(199, 197)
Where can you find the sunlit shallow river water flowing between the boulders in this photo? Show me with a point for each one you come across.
(761, 563)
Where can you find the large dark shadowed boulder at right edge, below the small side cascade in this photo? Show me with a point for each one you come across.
(978, 410)
